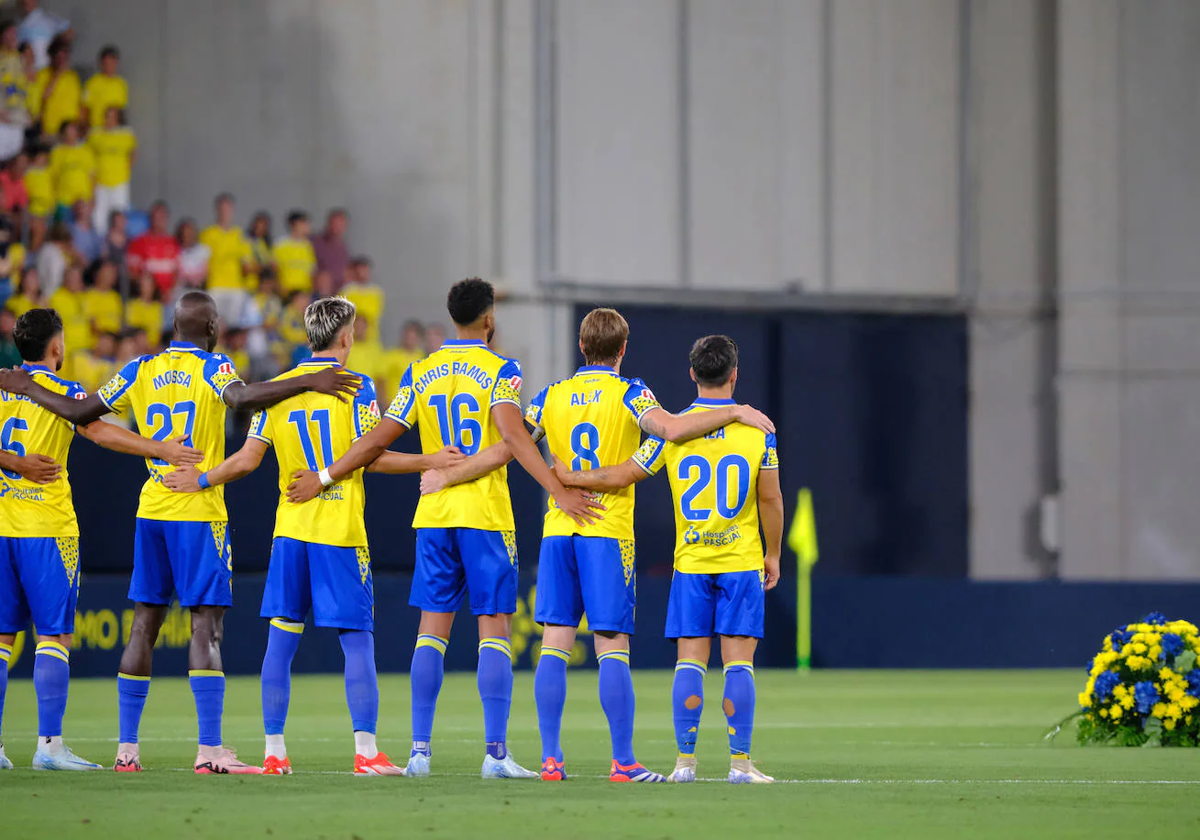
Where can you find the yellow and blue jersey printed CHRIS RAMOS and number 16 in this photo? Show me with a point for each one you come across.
(451, 395)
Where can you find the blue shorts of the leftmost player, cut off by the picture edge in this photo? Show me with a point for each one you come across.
(40, 581)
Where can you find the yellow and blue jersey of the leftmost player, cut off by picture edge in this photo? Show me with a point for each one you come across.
(29, 509)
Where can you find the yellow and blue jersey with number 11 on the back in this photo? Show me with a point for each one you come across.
(311, 431)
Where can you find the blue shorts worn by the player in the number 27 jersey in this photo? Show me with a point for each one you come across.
(193, 560)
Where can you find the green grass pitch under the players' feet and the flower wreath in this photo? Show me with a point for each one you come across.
(866, 754)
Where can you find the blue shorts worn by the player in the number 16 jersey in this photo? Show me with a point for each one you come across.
(452, 562)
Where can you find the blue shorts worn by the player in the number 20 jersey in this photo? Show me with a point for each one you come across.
(704, 607)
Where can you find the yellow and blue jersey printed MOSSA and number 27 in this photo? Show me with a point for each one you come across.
(178, 392)
